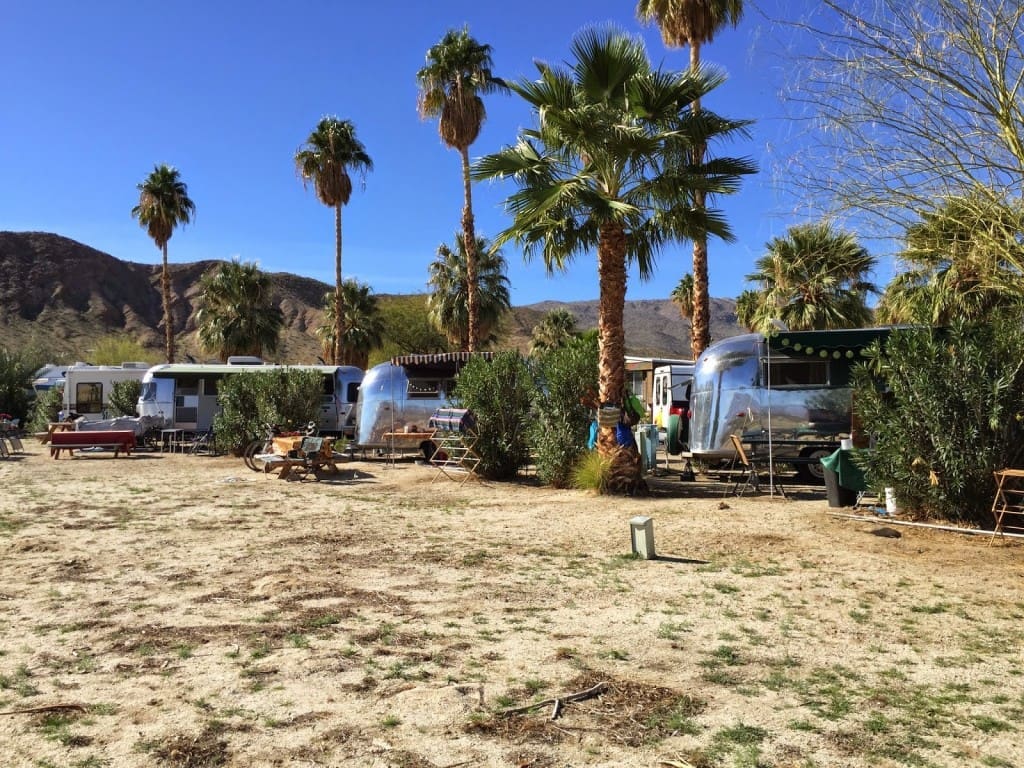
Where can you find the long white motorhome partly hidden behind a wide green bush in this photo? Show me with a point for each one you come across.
(185, 396)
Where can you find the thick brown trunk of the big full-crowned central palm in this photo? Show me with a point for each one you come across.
(612, 350)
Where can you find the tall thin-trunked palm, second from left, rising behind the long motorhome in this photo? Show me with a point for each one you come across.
(331, 152)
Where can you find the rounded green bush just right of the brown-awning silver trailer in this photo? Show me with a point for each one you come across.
(499, 394)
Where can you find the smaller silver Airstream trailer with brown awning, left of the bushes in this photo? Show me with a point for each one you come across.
(402, 396)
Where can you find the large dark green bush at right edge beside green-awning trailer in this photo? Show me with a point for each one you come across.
(948, 409)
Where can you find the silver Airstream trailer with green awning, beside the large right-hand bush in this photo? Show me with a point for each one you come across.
(793, 387)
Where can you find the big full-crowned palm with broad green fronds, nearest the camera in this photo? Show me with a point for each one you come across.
(608, 168)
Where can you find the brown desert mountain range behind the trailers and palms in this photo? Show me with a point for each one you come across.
(64, 295)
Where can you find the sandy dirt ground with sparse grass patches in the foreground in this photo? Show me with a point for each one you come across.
(182, 611)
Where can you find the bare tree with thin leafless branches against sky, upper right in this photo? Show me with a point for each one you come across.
(905, 105)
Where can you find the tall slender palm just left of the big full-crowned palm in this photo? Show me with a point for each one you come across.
(457, 73)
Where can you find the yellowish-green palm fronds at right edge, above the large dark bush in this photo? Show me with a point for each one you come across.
(963, 261)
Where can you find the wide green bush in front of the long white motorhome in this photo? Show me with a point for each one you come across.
(287, 398)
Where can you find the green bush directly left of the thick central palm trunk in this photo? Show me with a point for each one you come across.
(559, 434)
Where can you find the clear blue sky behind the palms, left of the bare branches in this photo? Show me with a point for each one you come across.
(98, 94)
